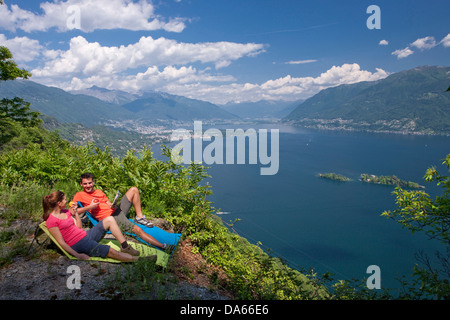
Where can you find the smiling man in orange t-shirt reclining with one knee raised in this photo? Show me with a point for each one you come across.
(97, 203)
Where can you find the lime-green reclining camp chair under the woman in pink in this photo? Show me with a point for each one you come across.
(145, 250)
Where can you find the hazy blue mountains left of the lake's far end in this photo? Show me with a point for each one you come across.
(92, 108)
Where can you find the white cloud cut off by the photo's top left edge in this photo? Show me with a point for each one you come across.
(93, 15)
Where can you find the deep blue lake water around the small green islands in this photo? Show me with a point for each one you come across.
(329, 225)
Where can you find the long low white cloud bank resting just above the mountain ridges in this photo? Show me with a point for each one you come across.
(216, 88)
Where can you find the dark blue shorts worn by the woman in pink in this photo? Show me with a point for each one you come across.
(90, 243)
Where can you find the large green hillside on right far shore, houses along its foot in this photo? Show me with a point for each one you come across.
(415, 100)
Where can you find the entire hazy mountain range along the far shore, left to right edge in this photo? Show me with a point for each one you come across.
(411, 101)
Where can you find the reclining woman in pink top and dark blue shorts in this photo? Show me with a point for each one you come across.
(65, 226)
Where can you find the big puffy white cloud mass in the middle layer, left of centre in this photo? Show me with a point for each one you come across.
(166, 61)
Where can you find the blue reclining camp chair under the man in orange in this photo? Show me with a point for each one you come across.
(157, 233)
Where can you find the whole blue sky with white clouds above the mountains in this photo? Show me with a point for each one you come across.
(222, 50)
